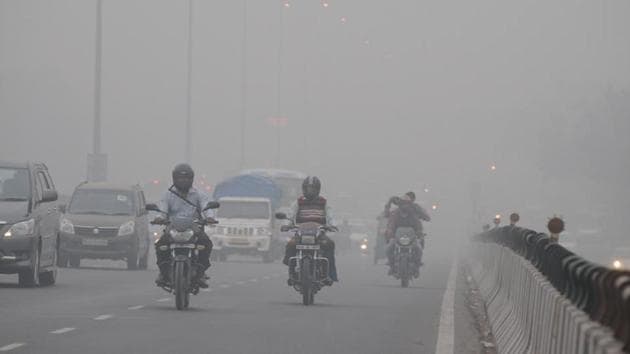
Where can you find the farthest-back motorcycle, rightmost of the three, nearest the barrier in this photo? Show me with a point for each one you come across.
(405, 260)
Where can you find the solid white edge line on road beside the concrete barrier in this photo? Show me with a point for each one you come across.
(446, 331)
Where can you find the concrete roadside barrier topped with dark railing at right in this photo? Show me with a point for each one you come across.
(542, 298)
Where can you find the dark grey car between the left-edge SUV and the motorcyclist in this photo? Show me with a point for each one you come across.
(105, 221)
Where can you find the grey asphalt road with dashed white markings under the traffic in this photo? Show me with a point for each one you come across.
(102, 308)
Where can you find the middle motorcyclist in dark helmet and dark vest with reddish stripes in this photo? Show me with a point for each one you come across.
(311, 207)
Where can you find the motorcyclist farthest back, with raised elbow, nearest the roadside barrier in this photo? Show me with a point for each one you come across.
(408, 214)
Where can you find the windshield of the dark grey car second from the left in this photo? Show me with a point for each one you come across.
(103, 202)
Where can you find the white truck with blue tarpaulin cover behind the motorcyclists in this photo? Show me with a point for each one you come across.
(246, 218)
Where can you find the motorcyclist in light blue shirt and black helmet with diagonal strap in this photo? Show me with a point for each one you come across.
(182, 200)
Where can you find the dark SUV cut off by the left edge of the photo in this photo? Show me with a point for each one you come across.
(29, 222)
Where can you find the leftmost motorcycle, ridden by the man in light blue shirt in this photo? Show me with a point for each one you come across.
(183, 233)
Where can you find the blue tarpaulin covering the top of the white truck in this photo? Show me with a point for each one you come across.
(253, 186)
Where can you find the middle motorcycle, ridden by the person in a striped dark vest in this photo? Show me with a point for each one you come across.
(309, 270)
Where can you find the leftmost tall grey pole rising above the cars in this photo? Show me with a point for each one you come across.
(96, 141)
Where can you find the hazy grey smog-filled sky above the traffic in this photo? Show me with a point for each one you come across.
(380, 96)
